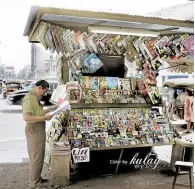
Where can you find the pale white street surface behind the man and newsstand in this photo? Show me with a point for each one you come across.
(12, 136)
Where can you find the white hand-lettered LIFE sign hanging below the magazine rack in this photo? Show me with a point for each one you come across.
(80, 155)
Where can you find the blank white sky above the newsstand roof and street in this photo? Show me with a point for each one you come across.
(15, 48)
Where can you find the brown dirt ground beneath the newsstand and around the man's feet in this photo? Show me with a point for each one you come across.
(15, 176)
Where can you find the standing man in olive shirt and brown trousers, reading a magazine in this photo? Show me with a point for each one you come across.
(35, 118)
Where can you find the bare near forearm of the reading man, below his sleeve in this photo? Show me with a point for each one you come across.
(34, 119)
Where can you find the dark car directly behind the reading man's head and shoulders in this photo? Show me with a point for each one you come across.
(15, 98)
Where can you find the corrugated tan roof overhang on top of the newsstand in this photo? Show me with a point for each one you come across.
(83, 19)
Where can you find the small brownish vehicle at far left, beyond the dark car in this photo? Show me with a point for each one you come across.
(10, 87)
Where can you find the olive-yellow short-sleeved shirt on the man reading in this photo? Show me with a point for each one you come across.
(31, 104)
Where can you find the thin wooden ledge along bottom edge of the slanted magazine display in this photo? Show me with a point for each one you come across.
(131, 146)
